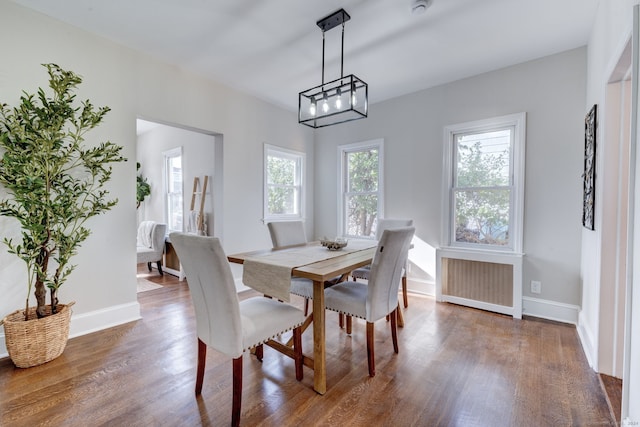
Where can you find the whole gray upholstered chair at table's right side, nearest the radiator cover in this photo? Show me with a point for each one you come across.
(378, 298)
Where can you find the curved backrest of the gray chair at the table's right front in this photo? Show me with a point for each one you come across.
(386, 270)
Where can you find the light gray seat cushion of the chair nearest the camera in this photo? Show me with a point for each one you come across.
(264, 318)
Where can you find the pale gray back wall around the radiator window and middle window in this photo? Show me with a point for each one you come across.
(551, 91)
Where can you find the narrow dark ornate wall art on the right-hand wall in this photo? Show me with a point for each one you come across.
(589, 175)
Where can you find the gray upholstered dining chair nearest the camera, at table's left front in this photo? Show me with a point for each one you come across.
(223, 322)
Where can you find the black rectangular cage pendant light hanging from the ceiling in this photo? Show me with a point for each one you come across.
(337, 101)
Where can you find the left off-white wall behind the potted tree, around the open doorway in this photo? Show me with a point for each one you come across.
(134, 85)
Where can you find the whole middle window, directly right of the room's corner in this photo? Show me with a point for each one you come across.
(361, 188)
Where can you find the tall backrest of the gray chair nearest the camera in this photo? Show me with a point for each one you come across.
(212, 290)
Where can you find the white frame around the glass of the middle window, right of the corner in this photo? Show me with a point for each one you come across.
(343, 150)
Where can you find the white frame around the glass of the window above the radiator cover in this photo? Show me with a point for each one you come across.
(517, 166)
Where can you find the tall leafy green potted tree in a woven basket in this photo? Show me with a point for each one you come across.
(53, 183)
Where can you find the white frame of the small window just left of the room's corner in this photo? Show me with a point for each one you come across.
(299, 181)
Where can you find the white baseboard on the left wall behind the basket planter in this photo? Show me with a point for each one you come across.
(86, 323)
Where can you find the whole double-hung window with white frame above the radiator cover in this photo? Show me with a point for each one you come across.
(484, 163)
